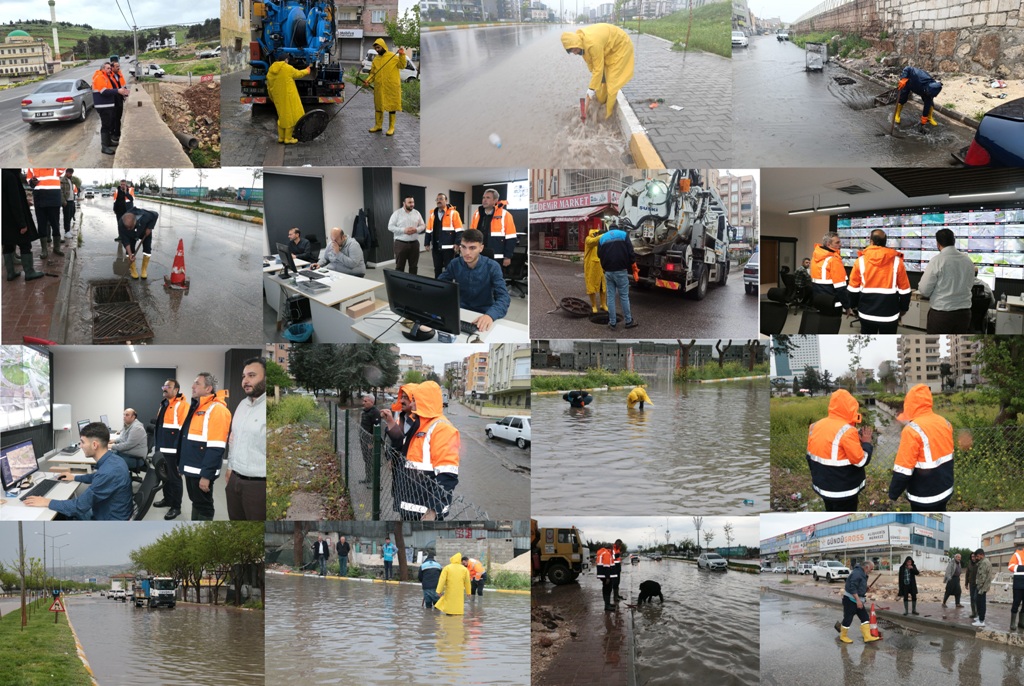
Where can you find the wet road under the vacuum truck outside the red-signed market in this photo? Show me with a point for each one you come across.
(726, 312)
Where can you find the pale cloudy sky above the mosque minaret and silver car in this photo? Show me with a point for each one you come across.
(105, 15)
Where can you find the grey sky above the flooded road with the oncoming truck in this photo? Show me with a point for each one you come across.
(89, 543)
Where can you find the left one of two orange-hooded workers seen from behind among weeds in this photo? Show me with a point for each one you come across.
(837, 455)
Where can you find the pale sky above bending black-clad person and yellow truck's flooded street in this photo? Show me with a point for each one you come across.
(636, 532)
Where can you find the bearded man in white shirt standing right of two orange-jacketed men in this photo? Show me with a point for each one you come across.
(245, 481)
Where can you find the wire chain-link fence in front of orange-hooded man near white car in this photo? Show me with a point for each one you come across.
(381, 487)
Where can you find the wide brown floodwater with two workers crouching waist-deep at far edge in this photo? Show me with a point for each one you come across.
(702, 448)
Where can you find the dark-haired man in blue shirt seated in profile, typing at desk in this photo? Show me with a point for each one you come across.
(109, 496)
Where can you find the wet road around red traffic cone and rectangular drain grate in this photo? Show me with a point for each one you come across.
(223, 259)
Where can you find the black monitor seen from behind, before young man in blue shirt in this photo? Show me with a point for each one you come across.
(428, 303)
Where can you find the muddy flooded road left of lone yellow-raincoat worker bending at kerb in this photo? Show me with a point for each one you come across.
(518, 82)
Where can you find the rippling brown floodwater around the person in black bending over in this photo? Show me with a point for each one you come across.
(706, 632)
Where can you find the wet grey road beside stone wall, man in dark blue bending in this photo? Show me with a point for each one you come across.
(787, 117)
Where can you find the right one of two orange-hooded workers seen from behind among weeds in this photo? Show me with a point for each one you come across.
(925, 461)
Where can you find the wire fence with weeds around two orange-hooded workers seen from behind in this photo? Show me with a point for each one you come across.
(989, 471)
